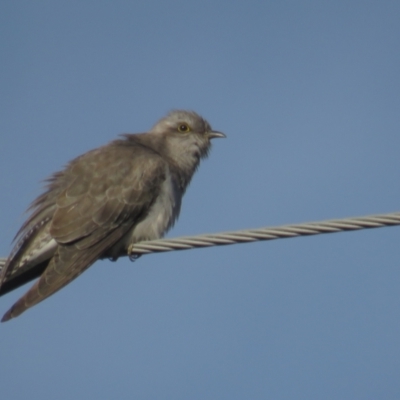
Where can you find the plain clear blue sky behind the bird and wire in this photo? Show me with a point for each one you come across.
(308, 94)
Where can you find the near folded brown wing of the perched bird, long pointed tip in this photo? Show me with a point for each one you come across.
(104, 194)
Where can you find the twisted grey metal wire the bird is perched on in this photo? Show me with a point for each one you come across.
(268, 233)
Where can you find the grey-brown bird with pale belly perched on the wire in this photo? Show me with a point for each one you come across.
(104, 201)
